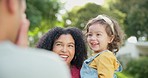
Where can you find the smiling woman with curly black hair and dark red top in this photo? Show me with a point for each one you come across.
(69, 44)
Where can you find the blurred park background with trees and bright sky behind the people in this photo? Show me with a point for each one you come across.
(132, 16)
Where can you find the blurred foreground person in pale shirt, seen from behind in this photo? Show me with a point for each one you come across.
(16, 60)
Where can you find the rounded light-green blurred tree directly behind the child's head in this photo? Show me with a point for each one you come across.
(79, 16)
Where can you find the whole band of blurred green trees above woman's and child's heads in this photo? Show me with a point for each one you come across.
(132, 15)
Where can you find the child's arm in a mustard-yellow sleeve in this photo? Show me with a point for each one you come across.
(105, 65)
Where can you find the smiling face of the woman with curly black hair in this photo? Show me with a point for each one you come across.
(64, 46)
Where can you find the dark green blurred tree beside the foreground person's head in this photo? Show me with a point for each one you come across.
(42, 10)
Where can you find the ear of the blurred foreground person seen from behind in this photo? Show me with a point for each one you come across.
(10, 5)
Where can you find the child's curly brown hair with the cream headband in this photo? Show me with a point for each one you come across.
(111, 27)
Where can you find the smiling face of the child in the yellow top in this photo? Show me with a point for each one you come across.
(97, 37)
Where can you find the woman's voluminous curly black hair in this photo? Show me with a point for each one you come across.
(47, 41)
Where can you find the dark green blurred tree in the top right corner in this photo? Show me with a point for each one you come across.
(136, 20)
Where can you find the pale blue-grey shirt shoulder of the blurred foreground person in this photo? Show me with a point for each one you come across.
(16, 62)
